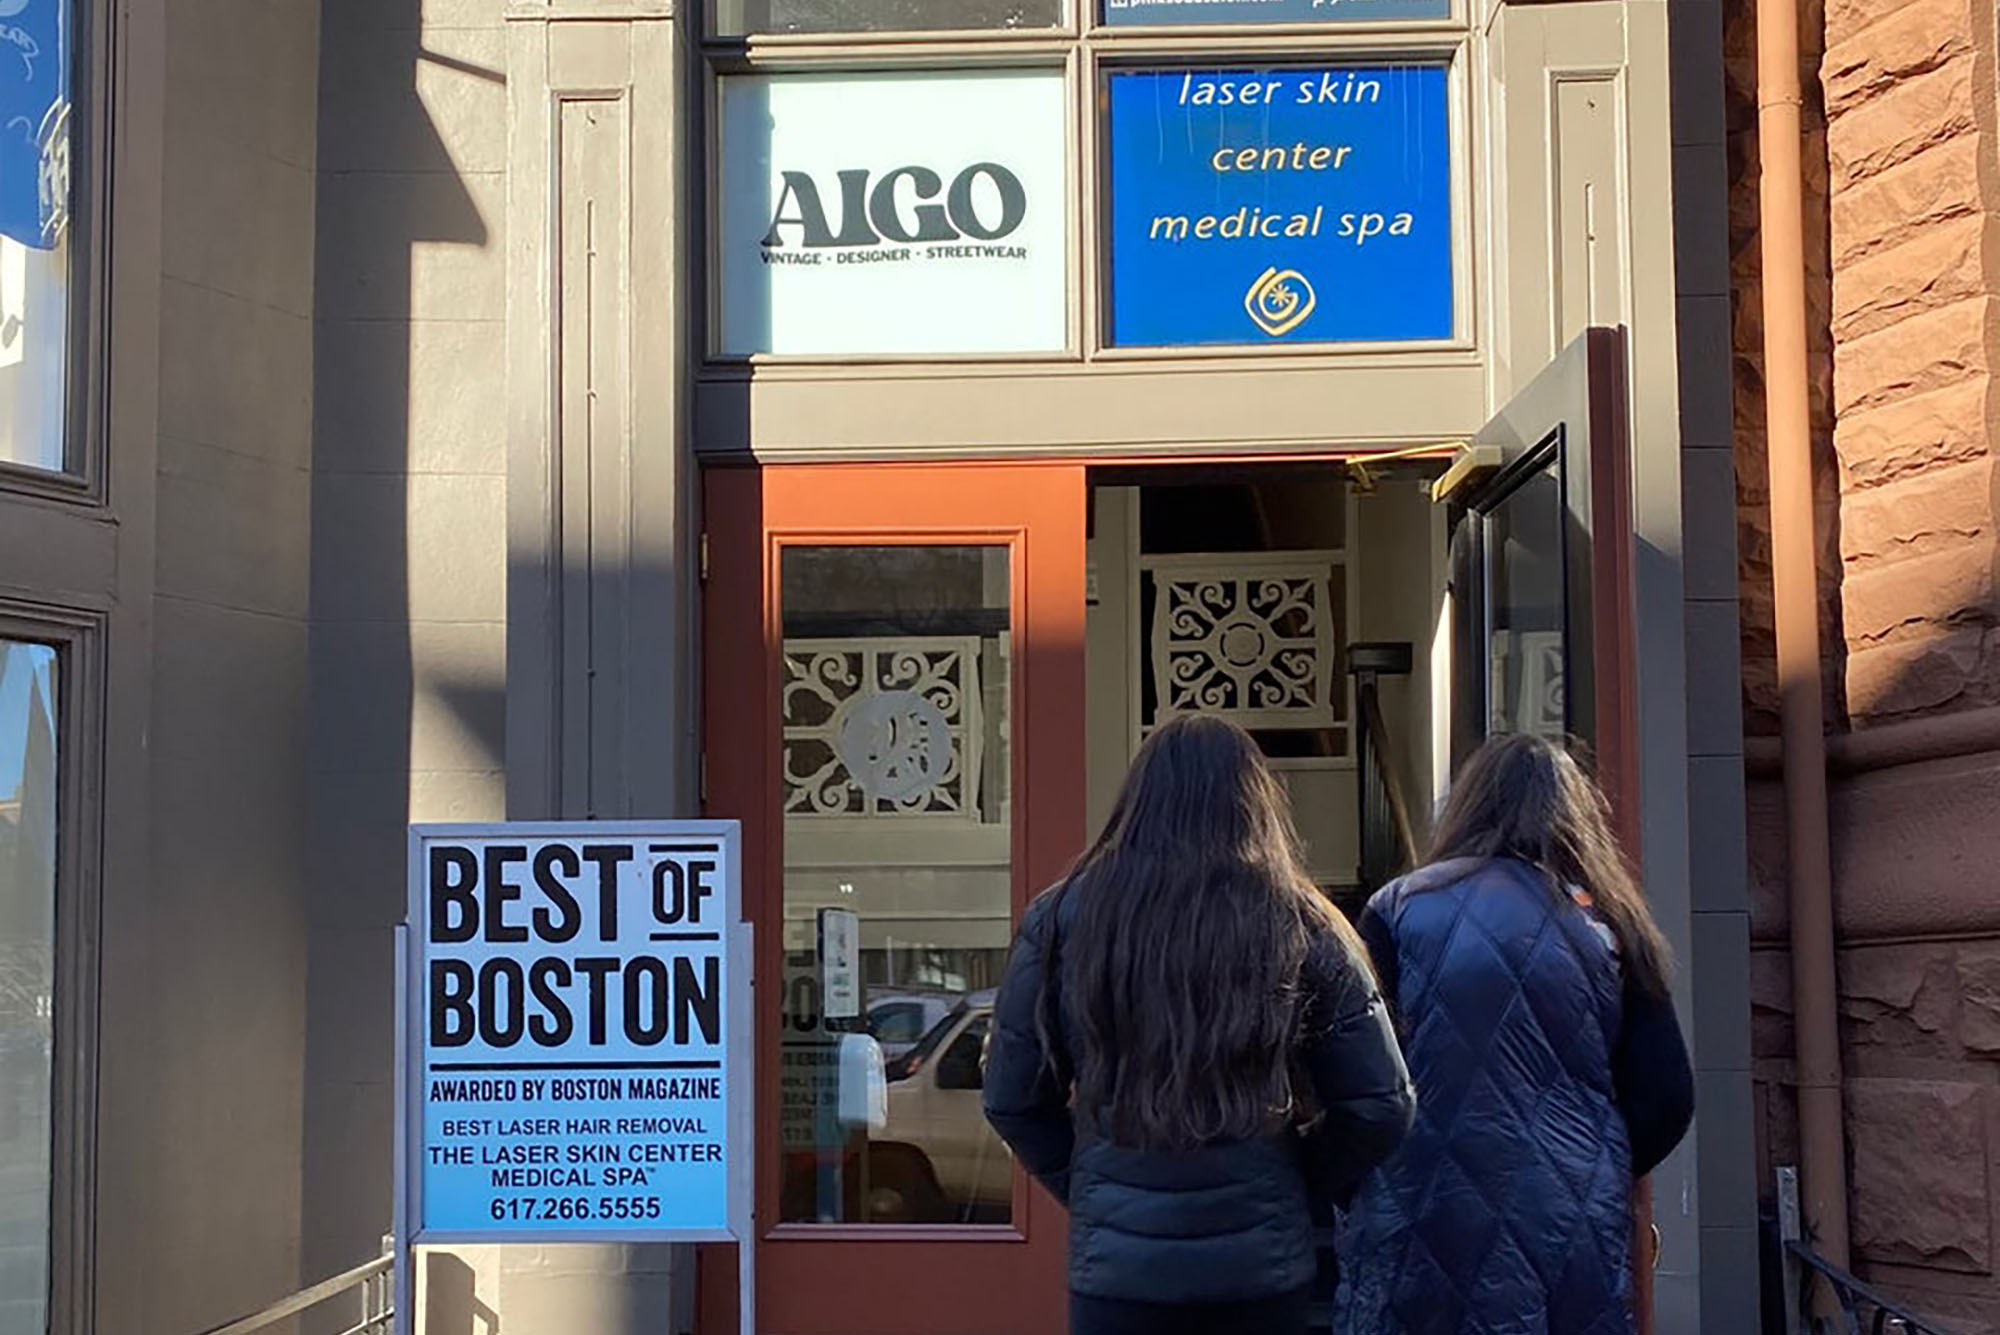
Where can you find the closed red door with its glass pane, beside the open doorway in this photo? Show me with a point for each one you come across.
(895, 712)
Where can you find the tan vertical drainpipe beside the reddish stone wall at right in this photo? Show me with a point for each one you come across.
(1797, 611)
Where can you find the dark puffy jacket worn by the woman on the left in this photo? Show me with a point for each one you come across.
(1217, 1224)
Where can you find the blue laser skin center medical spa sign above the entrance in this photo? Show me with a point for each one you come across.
(1291, 205)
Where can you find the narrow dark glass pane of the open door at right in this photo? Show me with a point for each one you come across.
(1525, 537)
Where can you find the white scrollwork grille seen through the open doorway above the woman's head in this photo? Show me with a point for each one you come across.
(1249, 639)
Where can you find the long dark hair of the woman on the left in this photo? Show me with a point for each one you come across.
(1183, 954)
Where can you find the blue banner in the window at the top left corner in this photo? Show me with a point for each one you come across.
(35, 89)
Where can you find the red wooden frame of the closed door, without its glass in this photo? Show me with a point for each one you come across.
(869, 1278)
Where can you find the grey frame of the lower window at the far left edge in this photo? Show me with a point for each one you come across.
(79, 641)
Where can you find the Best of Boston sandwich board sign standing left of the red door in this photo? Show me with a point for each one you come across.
(575, 1038)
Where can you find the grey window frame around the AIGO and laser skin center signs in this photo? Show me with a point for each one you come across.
(1089, 51)
